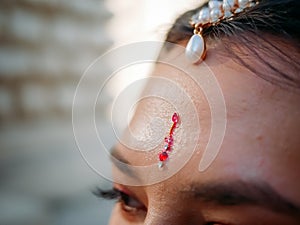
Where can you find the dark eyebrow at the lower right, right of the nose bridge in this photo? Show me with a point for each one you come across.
(238, 192)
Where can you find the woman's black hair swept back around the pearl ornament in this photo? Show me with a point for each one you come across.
(269, 32)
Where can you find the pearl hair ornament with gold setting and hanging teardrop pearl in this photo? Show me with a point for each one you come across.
(211, 16)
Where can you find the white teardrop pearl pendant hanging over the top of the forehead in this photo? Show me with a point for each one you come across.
(195, 49)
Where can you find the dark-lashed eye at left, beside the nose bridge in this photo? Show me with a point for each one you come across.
(128, 203)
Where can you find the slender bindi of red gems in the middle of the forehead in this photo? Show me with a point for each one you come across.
(169, 141)
